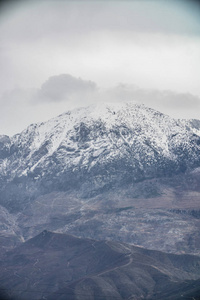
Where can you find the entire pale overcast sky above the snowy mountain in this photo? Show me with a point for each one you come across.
(55, 55)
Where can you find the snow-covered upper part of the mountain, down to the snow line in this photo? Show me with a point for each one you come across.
(98, 135)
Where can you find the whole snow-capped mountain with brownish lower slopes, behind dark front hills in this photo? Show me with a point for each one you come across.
(118, 172)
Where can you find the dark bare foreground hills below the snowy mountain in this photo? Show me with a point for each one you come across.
(46, 266)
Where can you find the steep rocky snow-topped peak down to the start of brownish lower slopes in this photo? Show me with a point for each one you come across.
(95, 149)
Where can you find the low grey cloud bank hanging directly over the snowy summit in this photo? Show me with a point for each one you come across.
(59, 93)
